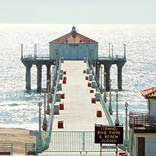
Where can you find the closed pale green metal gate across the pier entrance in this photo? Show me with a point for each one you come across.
(75, 141)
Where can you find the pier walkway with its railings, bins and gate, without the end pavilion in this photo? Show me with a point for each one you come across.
(71, 129)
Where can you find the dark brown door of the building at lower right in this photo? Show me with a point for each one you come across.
(141, 146)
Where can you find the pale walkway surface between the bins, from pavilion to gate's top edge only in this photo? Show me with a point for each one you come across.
(79, 113)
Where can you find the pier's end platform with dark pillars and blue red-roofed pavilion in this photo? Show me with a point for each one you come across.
(74, 46)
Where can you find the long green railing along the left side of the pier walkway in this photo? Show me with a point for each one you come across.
(42, 141)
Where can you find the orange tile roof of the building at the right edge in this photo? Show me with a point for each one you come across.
(149, 93)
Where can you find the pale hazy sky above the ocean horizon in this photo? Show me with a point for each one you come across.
(78, 11)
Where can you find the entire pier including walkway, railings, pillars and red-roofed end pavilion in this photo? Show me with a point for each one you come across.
(74, 102)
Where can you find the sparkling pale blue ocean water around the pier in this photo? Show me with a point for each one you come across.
(19, 108)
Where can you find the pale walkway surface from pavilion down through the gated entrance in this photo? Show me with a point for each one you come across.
(79, 114)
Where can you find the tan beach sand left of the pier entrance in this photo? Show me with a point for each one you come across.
(18, 137)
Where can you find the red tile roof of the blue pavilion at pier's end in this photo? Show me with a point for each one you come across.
(73, 37)
